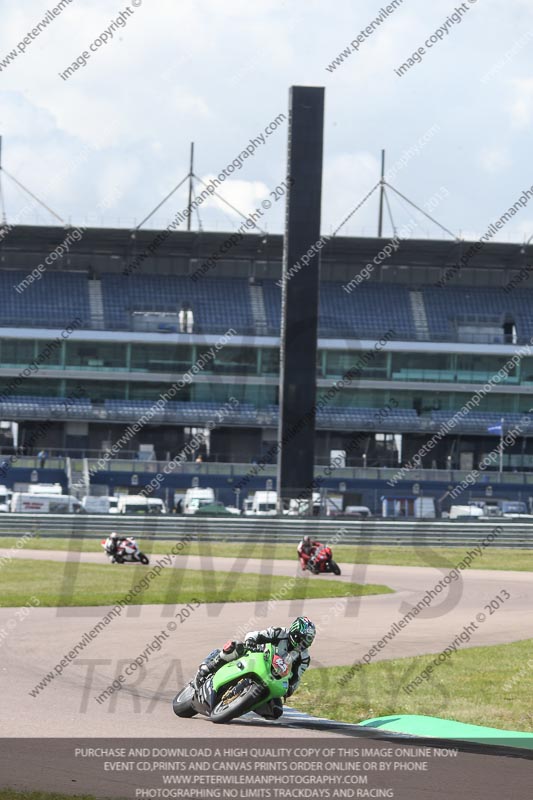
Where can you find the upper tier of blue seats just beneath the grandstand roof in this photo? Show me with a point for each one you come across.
(367, 312)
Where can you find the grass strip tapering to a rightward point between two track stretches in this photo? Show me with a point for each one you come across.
(57, 584)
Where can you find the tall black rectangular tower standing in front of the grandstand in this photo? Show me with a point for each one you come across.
(299, 309)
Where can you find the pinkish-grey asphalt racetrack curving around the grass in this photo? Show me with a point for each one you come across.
(67, 706)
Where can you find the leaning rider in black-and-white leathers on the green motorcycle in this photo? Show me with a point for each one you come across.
(293, 641)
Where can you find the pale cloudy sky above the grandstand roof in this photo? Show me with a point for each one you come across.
(109, 143)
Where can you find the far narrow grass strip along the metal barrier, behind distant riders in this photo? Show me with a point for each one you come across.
(400, 555)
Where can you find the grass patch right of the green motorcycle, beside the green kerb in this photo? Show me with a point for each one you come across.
(481, 685)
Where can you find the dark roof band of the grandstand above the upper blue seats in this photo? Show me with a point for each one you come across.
(111, 249)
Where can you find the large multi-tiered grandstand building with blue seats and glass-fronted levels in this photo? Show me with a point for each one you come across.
(132, 350)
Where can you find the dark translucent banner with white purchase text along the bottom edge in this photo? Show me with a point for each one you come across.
(256, 767)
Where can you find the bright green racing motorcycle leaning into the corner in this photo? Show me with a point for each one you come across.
(237, 687)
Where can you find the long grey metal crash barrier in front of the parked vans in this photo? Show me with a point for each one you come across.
(244, 529)
